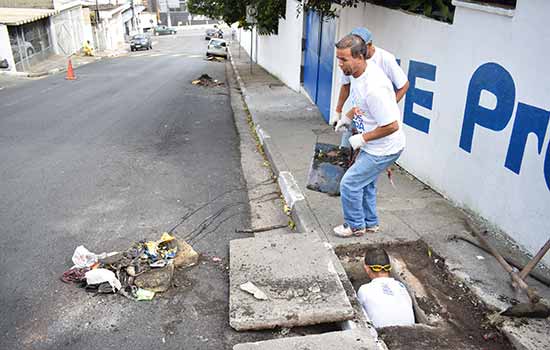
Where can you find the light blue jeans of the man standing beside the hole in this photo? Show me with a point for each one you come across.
(358, 189)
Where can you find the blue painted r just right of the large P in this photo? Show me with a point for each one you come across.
(529, 119)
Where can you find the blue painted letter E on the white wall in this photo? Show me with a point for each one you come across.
(420, 97)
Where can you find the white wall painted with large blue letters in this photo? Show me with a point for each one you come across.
(517, 203)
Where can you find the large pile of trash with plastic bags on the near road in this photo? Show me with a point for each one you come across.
(146, 268)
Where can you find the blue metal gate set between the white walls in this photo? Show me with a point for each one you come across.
(319, 60)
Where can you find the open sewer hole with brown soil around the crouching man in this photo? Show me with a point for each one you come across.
(448, 315)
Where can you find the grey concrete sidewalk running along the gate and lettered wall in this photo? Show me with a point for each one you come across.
(289, 125)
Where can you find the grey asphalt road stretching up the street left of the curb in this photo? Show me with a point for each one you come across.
(119, 155)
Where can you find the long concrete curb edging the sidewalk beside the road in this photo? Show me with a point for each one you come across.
(301, 213)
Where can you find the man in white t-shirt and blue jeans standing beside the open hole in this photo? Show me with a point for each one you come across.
(380, 137)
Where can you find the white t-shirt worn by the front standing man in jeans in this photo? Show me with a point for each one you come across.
(373, 94)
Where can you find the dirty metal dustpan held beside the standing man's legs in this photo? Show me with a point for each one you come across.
(328, 165)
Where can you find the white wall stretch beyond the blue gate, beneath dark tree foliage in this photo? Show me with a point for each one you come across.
(280, 54)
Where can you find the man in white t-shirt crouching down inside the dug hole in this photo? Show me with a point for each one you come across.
(385, 300)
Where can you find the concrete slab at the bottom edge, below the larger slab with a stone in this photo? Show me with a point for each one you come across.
(358, 339)
